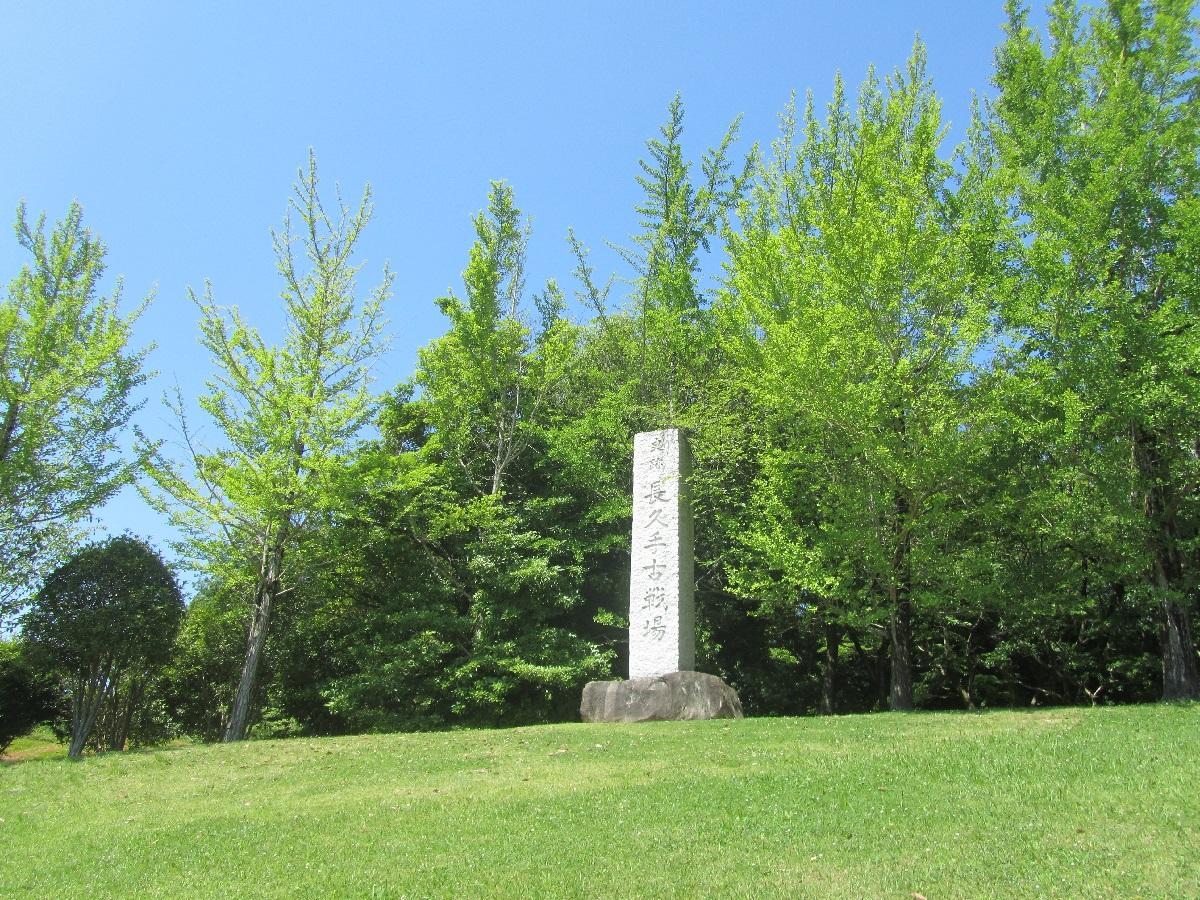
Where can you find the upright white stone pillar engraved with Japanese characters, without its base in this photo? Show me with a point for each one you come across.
(662, 608)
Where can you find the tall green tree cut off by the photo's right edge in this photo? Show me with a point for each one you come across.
(1097, 133)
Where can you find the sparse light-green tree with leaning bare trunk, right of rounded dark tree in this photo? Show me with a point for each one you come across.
(289, 416)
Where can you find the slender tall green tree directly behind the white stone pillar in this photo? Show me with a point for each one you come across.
(653, 363)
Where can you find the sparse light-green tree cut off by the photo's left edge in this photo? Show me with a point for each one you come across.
(67, 398)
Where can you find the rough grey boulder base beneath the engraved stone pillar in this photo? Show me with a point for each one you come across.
(675, 697)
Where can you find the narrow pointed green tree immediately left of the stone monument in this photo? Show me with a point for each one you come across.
(490, 391)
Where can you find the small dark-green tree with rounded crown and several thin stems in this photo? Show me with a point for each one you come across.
(105, 620)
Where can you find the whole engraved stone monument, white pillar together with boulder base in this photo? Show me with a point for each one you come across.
(662, 609)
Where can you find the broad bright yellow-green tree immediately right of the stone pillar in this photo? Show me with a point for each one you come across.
(863, 278)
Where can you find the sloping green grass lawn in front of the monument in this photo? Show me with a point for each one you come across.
(1041, 803)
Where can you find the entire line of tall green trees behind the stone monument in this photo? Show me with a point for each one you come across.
(943, 405)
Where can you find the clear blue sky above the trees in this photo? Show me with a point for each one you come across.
(181, 129)
